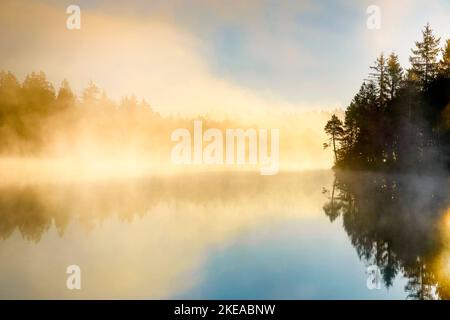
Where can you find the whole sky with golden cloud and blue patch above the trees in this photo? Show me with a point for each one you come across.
(214, 57)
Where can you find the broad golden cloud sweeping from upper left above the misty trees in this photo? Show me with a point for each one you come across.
(152, 58)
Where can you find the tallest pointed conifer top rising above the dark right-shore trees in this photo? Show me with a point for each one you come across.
(424, 59)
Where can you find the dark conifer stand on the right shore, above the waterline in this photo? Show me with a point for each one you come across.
(400, 119)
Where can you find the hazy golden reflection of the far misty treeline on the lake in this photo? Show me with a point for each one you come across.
(34, 209)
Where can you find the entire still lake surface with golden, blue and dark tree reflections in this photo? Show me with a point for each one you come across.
(302, 235)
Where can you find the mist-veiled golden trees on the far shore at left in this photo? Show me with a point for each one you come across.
(33, 115)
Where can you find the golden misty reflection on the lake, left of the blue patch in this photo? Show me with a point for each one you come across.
(139, 238)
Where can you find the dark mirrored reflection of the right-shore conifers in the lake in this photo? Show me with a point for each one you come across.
(400, 224)
